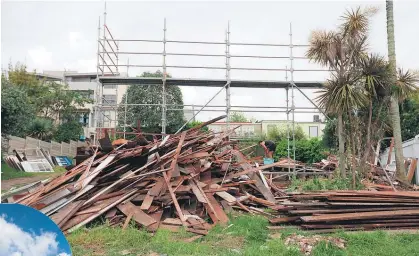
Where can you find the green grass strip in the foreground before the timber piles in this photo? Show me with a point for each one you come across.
(245, 235)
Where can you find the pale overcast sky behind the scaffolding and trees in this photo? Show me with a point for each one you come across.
(63, 35)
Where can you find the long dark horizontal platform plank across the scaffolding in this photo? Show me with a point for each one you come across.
(206, 82)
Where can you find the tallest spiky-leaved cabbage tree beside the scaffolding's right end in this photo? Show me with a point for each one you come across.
(341, 51)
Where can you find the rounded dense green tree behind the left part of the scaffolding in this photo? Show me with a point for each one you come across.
(150, 116)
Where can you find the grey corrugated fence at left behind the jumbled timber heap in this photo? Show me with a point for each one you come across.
(30, 145)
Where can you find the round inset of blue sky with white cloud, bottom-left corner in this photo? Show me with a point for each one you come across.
(28, 232)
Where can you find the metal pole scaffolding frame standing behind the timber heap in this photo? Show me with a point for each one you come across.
(108, 66)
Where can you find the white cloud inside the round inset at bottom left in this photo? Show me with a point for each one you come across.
(17, 242)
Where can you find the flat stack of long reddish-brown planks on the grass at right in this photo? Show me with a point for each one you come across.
(351, 210)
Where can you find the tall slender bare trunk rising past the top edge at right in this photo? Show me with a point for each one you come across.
(394, 104)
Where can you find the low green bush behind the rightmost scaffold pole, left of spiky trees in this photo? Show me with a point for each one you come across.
(307, 151)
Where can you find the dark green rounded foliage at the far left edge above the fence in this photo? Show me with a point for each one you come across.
(16, 111)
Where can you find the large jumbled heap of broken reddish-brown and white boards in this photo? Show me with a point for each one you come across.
(181, 180)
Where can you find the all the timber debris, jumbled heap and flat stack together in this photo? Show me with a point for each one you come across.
(193, 179)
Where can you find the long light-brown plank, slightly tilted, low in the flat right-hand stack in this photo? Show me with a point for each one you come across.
(359, 216)
